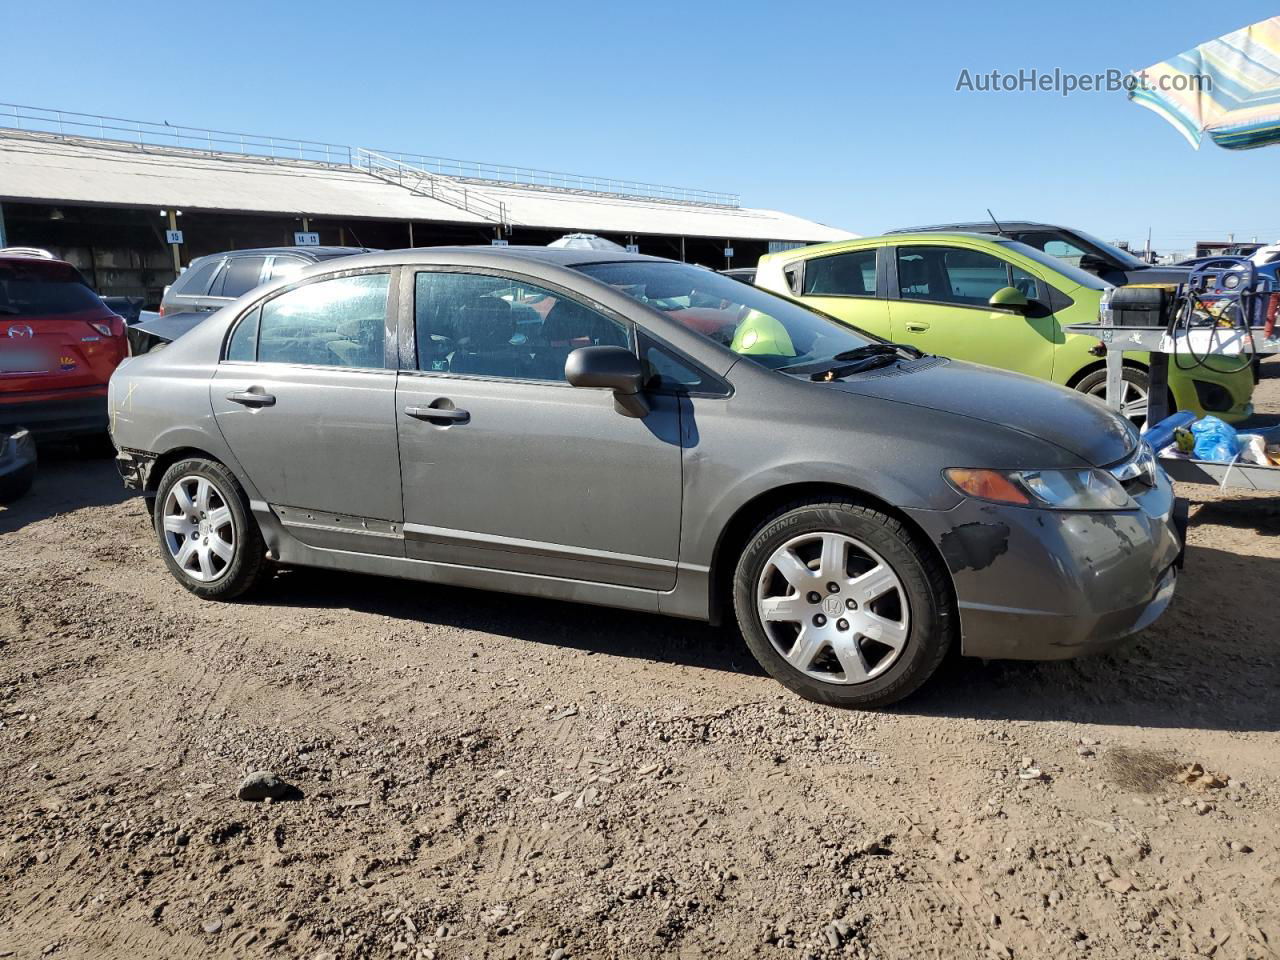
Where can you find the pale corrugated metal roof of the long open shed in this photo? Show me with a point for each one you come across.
(45, 168)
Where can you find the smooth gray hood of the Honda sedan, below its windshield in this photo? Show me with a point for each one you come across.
(1039, 409)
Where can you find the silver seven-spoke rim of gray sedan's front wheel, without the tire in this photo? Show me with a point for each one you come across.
(834, 609)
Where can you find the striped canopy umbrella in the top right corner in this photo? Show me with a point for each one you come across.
(1228, 89)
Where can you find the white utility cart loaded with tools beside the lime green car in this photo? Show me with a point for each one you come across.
(1196, 342)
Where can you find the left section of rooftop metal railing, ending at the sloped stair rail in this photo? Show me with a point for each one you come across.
(144, 134)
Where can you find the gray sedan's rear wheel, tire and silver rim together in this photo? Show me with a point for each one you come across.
(208, 537)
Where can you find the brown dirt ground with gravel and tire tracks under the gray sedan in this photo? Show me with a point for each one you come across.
(495, 776)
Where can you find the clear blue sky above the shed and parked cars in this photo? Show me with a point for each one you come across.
(844, 113)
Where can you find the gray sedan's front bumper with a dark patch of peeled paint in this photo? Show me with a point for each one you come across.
(1046, 586)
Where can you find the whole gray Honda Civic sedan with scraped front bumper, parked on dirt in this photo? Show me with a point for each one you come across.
(639, 433)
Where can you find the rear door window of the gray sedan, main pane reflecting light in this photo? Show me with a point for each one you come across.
(330, 323)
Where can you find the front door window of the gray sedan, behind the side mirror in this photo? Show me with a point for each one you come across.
(496, 327)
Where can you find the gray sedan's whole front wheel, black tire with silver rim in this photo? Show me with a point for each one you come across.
(840, 604)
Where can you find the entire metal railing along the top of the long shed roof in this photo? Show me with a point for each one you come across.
(144, 134)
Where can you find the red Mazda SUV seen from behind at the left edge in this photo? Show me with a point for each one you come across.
(60, 345)
